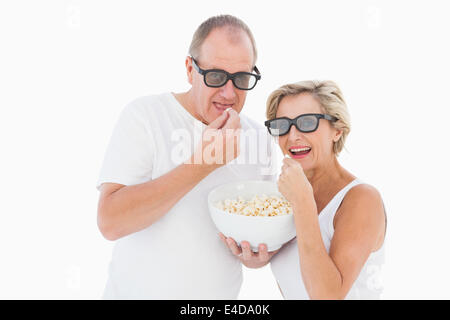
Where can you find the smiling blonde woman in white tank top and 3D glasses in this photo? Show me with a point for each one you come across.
(340, 221)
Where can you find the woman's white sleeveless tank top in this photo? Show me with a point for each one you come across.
(286, 265)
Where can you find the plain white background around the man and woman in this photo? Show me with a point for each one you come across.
(67, 69)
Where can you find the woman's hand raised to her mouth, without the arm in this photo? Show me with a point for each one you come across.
(293, 184)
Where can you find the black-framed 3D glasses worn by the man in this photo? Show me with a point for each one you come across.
(216, 78)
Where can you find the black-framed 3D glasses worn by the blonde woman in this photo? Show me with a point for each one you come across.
(304, 123)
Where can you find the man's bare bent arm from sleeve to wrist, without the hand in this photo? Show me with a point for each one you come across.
(123, 210)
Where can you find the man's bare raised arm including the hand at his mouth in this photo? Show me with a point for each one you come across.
(123, 210)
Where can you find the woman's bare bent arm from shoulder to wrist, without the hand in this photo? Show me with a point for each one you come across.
(359, 229)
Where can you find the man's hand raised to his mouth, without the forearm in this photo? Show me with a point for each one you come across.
(220, 141)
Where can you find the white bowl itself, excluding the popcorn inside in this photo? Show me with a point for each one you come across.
(273, 231)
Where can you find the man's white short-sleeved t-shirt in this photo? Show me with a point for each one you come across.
(181, 255)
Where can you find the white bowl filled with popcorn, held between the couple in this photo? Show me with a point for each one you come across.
(253, 211)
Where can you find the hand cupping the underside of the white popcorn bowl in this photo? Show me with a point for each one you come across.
(249, 258)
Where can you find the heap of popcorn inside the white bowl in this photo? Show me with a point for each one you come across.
(263, 206)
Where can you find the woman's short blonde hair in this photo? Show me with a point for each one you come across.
(327, 94)
